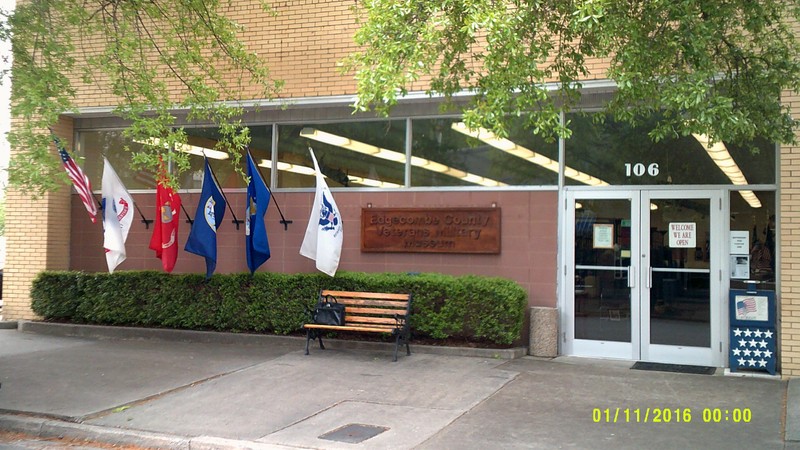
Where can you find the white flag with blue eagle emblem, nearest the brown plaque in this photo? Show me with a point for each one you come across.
(323, 240)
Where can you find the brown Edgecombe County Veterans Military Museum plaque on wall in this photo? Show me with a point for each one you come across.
(430, 230)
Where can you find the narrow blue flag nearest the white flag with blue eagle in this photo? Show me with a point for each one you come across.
(255, 231)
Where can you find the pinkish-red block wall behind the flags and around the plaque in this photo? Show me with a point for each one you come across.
(529, 223)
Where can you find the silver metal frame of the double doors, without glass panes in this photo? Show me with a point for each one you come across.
(639, 348)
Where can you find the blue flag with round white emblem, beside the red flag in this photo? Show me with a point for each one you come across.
(207, 219)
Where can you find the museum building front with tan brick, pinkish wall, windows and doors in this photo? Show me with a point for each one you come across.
(633, 246)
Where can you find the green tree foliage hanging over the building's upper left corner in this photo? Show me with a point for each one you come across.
(158, 57)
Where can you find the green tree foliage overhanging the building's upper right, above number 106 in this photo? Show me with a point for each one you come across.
(703, 66)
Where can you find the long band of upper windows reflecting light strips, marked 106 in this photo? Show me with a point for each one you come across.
(442, 152)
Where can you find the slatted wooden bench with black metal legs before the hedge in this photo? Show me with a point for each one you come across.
(368, 312)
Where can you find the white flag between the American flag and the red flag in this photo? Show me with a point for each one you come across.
(117, 216)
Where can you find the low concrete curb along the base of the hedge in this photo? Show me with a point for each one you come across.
(218, 337)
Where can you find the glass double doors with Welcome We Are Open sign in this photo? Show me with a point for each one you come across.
(643, 276)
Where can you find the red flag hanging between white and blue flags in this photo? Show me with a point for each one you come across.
(165, 233)
